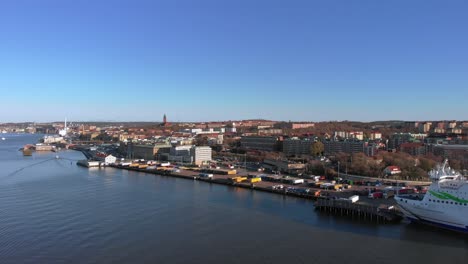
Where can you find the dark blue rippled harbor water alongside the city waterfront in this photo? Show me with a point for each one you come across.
(52, 211)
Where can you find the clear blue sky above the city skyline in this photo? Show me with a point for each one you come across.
(218, 60)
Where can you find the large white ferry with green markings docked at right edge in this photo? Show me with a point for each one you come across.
(445, 203)
